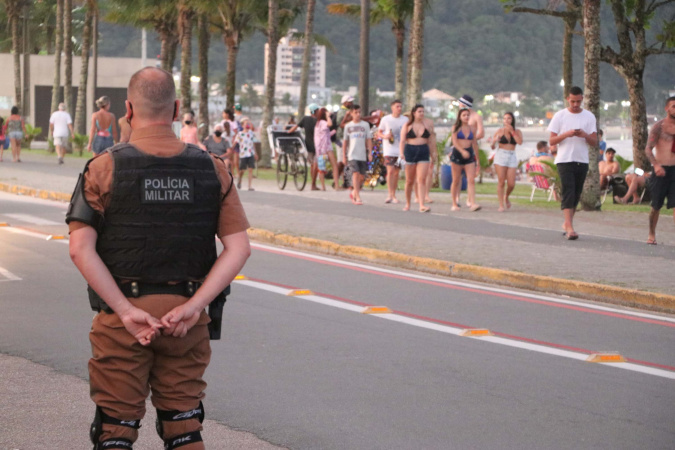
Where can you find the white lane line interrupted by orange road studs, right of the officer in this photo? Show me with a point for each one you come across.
(456, 331)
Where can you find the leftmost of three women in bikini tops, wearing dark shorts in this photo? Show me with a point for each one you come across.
(417, 137)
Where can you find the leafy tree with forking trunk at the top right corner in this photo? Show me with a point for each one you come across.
(632, 19)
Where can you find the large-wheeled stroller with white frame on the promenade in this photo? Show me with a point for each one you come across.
(291, 155)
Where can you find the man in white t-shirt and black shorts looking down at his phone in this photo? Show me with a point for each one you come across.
(573, 129)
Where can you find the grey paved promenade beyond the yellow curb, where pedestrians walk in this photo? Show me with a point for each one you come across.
(525, 239)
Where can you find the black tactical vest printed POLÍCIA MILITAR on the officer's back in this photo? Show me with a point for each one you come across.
(161, 223)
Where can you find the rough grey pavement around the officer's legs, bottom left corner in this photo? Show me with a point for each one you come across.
(35, 396)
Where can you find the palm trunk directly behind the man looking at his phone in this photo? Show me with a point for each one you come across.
(590, 198)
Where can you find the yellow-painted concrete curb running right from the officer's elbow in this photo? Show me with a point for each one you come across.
(591, 291)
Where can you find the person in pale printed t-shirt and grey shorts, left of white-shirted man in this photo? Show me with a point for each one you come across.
(358, 138)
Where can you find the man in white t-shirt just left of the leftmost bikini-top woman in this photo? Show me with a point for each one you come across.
(390, 129)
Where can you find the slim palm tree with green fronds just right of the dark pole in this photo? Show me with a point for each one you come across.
(398, 12)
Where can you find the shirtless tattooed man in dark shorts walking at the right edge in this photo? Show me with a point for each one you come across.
(662, 181)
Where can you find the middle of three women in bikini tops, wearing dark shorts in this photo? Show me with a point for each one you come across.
(463, 157)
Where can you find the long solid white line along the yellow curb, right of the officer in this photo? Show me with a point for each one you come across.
(464, 284)
